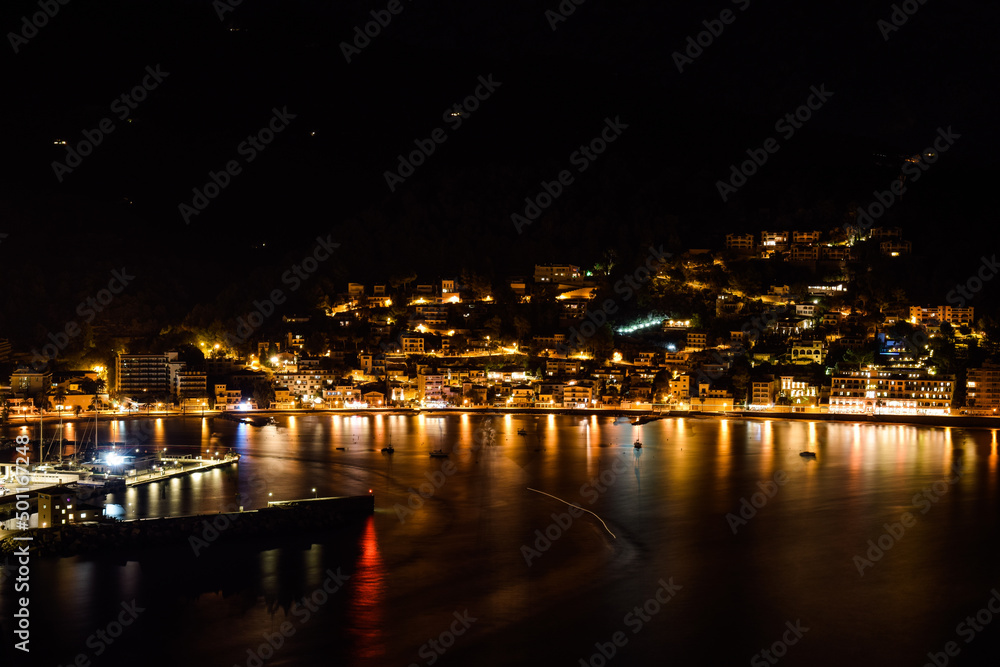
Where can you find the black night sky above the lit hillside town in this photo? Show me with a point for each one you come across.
(325, 172)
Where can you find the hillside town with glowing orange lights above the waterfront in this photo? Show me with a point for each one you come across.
(773, 321)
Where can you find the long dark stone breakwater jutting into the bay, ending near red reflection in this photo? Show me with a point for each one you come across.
(197, 532)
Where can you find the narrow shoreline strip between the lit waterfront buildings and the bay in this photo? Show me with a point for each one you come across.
(958, 421)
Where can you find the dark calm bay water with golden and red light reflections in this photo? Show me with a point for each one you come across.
(467, 576)
